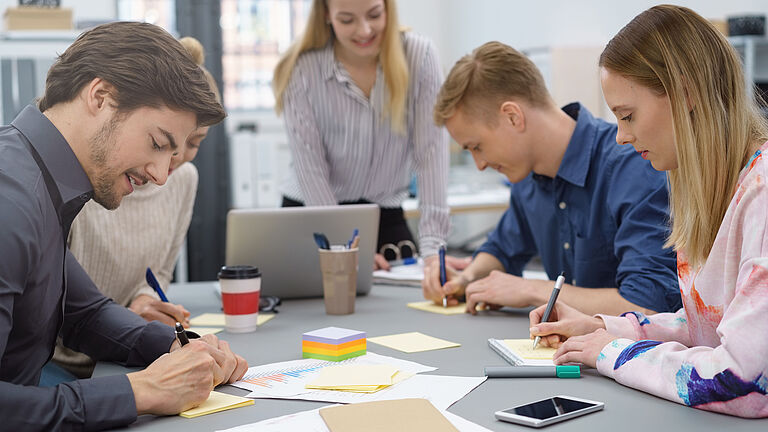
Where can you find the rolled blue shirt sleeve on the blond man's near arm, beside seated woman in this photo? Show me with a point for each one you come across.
(646, 275)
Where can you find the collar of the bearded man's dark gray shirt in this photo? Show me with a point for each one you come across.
(55, 153)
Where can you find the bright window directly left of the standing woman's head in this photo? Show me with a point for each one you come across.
(255, 33)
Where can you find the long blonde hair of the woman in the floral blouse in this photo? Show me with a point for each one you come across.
(675, 52)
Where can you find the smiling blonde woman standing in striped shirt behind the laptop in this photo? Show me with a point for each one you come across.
(357, 93)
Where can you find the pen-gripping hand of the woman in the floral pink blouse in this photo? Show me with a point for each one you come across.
(564, 322)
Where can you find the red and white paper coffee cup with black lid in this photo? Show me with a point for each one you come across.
(240, 291)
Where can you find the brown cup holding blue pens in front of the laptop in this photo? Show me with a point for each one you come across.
(339, 268)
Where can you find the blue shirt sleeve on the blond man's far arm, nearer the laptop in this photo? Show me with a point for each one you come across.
(511, 242)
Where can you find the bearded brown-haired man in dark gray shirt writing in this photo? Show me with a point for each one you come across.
(117, 104)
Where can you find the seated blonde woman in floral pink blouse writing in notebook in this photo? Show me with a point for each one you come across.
(677, 89)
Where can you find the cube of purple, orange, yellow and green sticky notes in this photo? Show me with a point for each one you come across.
(333, 344)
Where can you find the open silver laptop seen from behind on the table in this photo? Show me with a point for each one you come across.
(280, 243)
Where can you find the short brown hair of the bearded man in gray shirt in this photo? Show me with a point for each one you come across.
(147, 67)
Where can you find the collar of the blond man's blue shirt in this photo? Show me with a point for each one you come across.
(578, 156)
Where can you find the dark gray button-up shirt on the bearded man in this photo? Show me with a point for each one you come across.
(44, 292)
